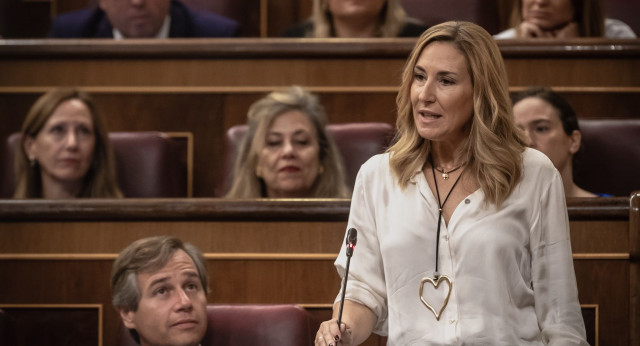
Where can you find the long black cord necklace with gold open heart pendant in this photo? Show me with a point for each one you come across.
(437, 277)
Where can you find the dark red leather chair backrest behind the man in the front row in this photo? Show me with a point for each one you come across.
(250, 325)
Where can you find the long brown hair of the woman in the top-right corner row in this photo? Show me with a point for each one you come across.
(588, 14)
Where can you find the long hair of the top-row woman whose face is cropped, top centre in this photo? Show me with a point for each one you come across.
(391, 21)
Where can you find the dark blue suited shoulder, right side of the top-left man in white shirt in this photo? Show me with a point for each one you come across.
(187, 22)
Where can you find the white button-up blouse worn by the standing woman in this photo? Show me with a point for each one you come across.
(512, 268)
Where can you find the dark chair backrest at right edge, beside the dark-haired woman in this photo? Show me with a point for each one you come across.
(609, 158)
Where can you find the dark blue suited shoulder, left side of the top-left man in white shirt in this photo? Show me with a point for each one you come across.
(77, 24)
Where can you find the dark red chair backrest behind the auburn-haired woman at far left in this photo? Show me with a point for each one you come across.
(148, 165)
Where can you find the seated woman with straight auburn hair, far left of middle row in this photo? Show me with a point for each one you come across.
(64, 150)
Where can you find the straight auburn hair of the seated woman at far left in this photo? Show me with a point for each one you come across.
(100, 180)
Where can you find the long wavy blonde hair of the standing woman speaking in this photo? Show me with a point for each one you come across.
(493, 148)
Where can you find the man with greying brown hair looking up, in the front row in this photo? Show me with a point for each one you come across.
(159, 286)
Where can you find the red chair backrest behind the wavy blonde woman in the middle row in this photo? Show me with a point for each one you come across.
(357, 142)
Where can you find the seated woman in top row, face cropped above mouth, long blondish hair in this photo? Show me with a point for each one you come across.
(371, 18)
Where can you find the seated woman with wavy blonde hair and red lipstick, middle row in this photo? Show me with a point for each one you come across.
(286, 152)
